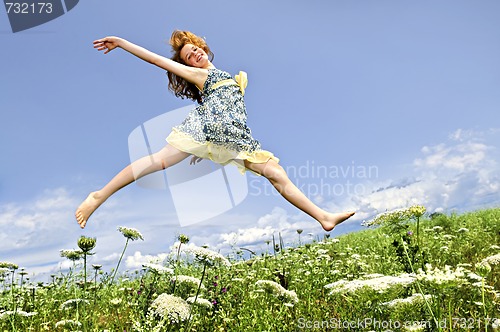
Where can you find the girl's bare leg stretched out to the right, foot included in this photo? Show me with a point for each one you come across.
(279, 179)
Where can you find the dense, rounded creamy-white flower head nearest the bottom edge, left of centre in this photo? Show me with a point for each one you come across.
(171, 307)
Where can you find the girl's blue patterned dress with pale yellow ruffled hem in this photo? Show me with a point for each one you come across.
(217, 129)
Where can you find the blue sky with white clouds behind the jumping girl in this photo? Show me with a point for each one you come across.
(406, 89)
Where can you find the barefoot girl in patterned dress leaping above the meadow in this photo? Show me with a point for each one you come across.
(214, 130)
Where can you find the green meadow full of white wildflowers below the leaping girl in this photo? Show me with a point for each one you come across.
(407, 271)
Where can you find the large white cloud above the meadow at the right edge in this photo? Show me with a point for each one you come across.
(460, 174)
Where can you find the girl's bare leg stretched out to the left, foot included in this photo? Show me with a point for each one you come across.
(164, 158)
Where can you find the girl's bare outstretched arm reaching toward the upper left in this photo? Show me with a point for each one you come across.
(191, 74)
